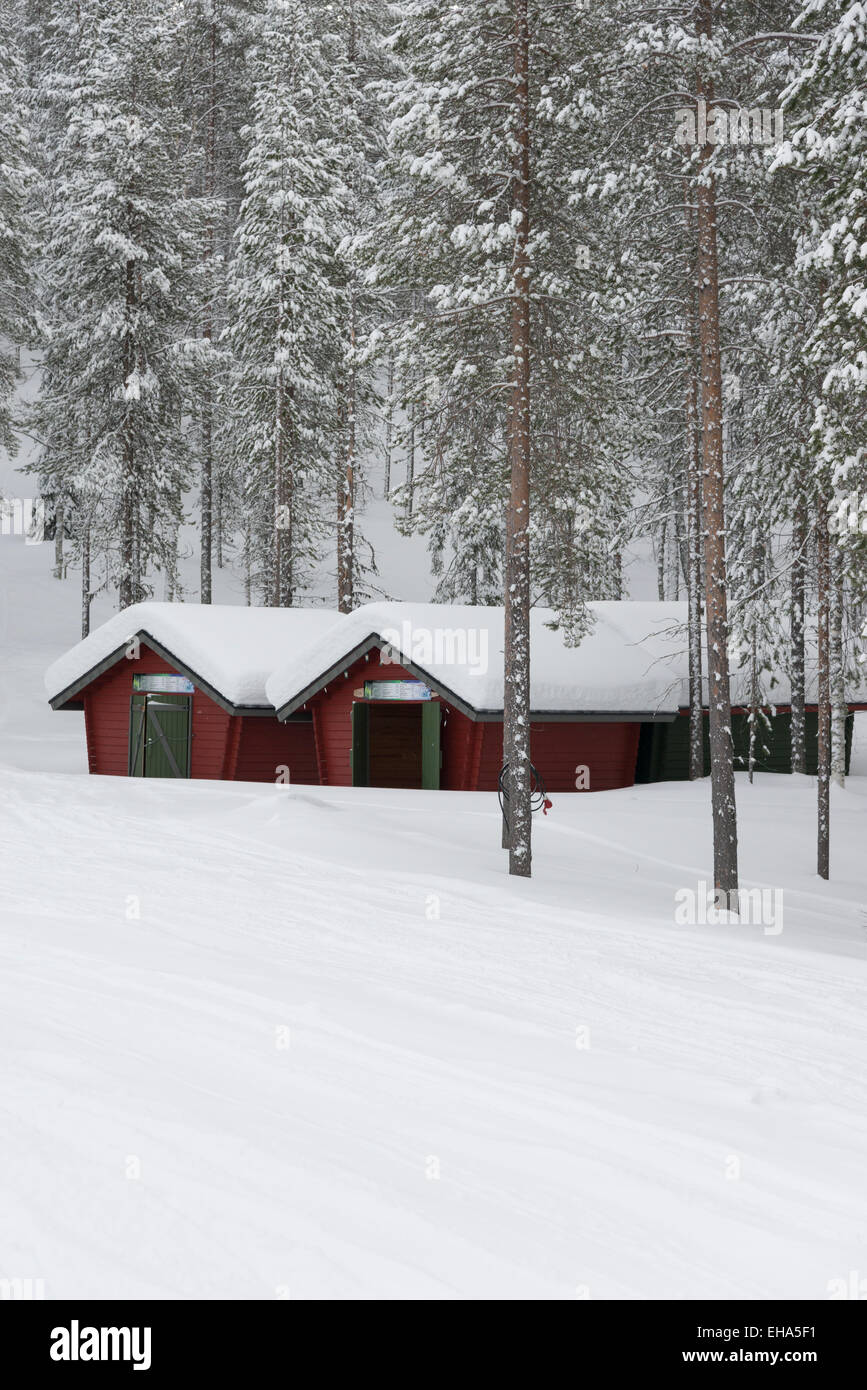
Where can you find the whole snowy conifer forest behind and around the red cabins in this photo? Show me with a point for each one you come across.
(577, 273)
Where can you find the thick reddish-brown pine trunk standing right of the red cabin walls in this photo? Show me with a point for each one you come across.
(722, 751)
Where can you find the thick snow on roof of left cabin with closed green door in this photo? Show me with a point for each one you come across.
(226, 648)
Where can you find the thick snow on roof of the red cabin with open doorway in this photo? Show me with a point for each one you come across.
(631, 662)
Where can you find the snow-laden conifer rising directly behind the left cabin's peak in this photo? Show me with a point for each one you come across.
(113, 270)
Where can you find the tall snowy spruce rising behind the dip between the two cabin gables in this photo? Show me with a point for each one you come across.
(284, 318)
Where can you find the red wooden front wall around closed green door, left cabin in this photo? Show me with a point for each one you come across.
(108, 722)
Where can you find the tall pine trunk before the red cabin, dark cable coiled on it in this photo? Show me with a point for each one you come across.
(516, 703)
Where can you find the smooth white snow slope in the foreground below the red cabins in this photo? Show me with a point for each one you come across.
(304, 1171)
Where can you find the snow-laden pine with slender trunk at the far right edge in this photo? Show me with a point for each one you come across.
(827, 144)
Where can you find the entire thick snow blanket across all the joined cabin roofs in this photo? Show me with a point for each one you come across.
(631, 662)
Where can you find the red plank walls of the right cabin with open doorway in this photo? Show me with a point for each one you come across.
(472, 750)
